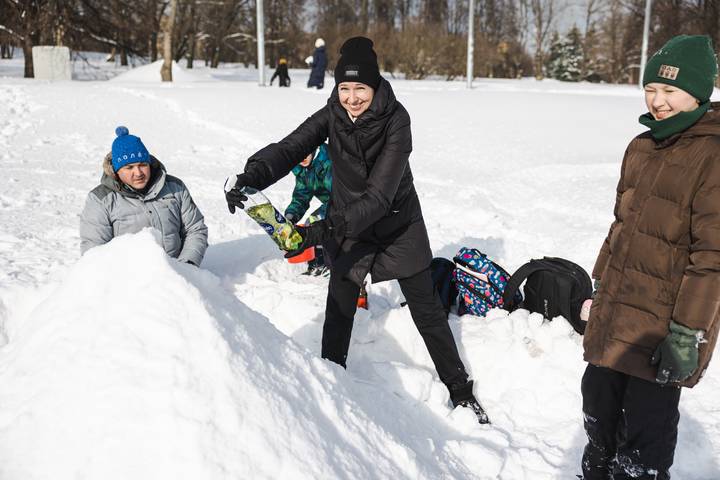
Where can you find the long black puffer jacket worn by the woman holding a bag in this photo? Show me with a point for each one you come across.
(373, 195)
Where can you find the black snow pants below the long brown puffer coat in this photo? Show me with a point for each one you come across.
(631, 425)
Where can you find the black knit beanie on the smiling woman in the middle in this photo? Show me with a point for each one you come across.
(358, 63)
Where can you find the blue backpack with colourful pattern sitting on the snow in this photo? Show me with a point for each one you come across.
(480, 283)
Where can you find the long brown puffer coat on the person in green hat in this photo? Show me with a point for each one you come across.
(661, 258)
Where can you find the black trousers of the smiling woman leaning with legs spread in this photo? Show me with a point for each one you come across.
(427, 313)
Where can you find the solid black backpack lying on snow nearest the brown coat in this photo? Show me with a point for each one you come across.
(554, 287)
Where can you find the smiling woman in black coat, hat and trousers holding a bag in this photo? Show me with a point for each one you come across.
(374, 222)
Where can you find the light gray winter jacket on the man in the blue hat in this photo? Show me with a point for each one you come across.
(111, 209)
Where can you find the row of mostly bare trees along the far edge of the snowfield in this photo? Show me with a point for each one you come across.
(417, 38)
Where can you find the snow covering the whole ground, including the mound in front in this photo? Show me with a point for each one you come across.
(126, 364)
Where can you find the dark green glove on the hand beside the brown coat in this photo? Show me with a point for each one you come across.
(677, 355)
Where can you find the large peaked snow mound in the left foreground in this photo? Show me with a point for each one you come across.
(138, 366)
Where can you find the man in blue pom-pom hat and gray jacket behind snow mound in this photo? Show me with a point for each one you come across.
(135, 192)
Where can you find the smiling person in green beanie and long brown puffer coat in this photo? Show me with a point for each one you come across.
(654, 320)
